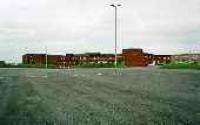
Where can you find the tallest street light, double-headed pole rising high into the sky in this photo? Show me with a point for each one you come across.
(115, 6)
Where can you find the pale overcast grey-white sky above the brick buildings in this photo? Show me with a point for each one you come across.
(77, 26)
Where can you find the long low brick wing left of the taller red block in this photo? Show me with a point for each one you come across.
(70, 59)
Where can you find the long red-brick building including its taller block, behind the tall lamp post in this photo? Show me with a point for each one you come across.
(131, 57)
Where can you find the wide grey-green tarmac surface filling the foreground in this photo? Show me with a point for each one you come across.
(99, 97)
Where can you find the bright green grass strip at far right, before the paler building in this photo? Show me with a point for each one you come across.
(178, 65)
